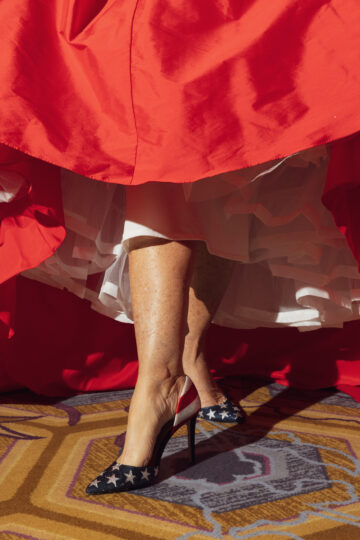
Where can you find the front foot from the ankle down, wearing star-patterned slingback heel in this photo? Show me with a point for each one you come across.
(176, 402)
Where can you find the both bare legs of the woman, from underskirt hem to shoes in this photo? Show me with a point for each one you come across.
(176, 288)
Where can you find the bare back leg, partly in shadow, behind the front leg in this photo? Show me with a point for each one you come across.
(211, 276)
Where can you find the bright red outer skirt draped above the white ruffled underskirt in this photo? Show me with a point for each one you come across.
(166, 91)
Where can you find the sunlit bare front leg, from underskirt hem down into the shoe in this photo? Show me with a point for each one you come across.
(160, 273)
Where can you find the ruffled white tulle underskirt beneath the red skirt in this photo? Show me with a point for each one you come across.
(293, 266)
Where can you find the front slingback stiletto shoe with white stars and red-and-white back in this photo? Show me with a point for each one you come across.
(126, 477)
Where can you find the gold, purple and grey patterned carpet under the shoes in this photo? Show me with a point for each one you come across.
(291, 472)
